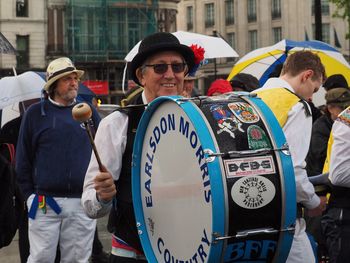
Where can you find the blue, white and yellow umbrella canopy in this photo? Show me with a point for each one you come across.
(263, 61)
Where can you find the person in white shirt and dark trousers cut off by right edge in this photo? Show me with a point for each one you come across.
(336, 222)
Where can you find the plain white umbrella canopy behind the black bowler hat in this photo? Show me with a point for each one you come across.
(215, 47)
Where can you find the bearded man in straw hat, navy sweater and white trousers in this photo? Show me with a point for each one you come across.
(53, 153)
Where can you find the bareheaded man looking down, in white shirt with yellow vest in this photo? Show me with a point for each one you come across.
(301, 76)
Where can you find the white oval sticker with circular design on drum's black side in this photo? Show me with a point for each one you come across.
(253, 192)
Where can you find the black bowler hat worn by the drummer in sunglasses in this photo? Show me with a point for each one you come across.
(156, 43)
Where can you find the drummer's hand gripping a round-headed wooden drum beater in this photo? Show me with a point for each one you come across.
(104, 183)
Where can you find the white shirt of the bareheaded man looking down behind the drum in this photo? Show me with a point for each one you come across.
(297, 131)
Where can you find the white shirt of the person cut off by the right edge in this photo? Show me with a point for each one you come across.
(339, 170)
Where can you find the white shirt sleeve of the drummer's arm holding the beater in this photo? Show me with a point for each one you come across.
(110, 143)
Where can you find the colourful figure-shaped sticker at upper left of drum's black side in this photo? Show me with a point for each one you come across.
(226, 121)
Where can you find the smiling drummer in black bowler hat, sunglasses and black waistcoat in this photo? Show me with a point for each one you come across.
(160, 67)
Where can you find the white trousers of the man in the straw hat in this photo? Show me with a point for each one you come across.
(72, 229)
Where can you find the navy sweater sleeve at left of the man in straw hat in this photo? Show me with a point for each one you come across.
(24, 157)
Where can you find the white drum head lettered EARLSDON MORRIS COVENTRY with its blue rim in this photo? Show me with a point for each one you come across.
(172, 191)
